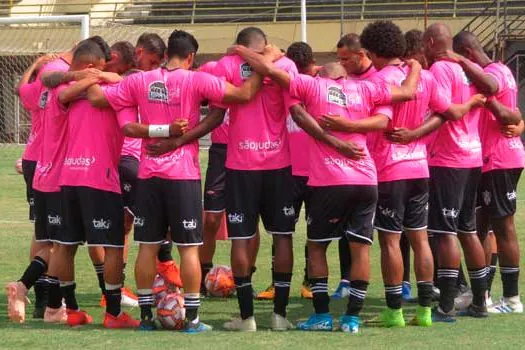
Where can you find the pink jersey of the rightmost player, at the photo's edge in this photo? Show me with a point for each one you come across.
(500, 152)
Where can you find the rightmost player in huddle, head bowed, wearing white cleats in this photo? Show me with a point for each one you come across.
(503, 159)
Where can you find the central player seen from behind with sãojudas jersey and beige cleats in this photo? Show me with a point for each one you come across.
(258, 182)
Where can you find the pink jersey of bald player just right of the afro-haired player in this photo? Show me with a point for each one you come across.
(457, 143)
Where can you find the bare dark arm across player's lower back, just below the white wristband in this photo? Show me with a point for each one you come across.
(213, 119)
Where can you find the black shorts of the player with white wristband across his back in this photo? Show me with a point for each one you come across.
(173, 204)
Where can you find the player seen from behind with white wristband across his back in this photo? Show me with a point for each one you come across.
(168, 190)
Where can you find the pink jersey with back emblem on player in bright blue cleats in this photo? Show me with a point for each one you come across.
(349, 98)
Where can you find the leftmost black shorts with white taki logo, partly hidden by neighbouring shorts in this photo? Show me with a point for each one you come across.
(48, 216)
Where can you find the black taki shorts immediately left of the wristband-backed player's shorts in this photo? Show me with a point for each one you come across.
(93, 216)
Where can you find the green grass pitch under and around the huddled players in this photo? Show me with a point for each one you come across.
(15, 234)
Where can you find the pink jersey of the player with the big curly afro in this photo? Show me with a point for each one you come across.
(399, 162)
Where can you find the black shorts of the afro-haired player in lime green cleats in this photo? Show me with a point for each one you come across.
(402, 205)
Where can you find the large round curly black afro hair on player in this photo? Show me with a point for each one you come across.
(385, 39)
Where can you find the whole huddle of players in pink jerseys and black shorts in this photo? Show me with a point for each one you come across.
(399, 135)
